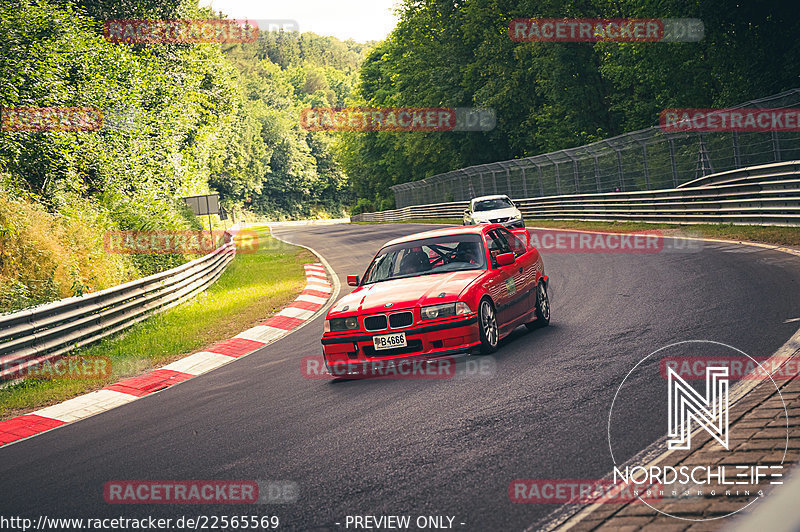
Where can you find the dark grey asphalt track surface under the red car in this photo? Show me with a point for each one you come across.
(418, 447)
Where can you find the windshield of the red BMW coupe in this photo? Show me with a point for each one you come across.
(429, 256)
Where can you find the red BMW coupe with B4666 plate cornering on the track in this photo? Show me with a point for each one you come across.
(437, 293)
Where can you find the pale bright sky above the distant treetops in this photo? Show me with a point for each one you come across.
(362, 20)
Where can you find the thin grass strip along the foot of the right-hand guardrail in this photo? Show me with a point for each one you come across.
(781, 236)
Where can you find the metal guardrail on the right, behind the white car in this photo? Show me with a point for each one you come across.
(760, 195)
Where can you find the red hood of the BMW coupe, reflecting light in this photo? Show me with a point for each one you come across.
(405, 293)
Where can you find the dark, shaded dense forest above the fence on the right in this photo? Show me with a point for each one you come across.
(551, 96)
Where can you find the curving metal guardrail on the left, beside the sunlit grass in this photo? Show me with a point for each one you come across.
(33, 336)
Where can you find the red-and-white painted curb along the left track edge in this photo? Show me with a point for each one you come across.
(315, 295)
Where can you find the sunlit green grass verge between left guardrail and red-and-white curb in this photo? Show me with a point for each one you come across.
(252, 288)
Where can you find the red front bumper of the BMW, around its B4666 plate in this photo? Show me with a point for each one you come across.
(438, 339)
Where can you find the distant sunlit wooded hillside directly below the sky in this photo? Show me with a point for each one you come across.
(270, 164)
